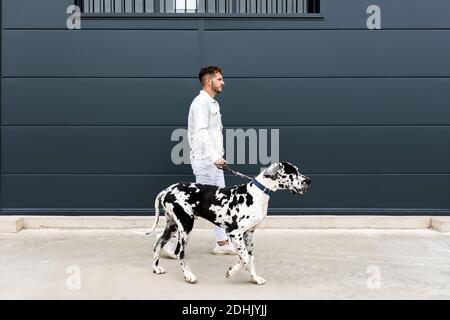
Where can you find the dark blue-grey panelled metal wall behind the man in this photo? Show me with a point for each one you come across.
(87, 114)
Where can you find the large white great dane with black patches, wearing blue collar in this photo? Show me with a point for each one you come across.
(238, 210)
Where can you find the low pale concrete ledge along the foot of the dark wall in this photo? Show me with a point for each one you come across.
(439, 223)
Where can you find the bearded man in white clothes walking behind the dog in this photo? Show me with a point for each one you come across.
(206, 144)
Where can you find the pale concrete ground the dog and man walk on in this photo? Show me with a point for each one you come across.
(297, 264)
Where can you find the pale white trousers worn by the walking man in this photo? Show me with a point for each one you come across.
(207, 173)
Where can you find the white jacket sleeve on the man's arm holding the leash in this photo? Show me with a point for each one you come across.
(202, 138)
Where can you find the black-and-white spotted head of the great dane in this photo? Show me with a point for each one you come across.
(287, 176)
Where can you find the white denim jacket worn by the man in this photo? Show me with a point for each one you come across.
(205, 129)
